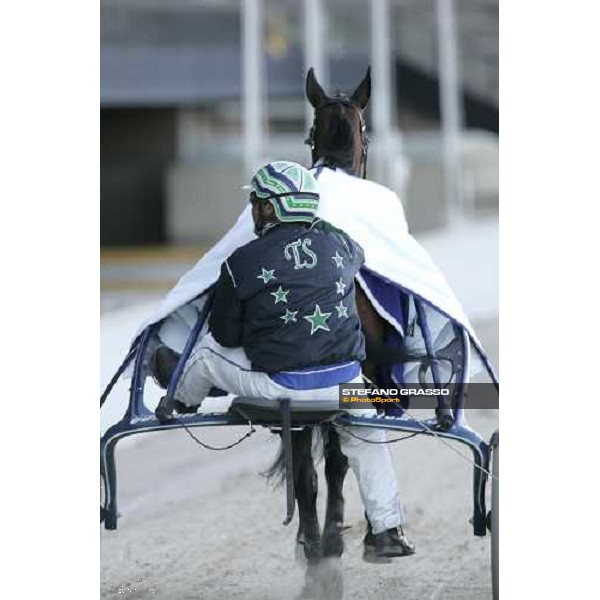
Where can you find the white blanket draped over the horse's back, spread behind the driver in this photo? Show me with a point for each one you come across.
(369, 213)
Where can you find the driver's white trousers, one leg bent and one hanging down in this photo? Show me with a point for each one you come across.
(212, 365)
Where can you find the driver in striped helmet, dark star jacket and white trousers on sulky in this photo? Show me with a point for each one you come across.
(284, 323)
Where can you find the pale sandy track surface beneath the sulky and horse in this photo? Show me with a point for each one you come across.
(201, 525)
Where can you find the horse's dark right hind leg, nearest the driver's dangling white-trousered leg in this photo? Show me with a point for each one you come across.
(336, 467)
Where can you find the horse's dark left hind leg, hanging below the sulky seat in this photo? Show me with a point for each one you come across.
(305, 485)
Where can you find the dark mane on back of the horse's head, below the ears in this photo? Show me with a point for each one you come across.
(336, 136)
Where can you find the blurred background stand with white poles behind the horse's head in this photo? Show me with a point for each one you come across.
(196, 93)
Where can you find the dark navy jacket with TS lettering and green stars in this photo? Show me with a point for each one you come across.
(288, 299)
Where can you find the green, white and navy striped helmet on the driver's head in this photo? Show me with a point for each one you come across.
(290, 188)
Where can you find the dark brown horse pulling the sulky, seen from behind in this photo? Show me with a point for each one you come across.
(337, 139)
